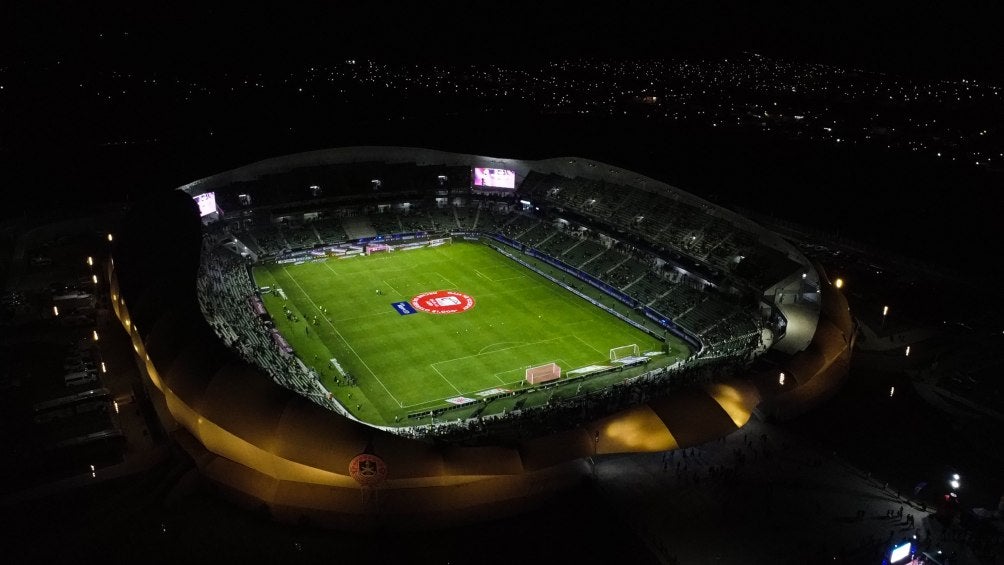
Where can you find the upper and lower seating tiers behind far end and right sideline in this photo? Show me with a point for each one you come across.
(666, 223)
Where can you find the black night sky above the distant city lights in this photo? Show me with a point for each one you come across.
(924, 39)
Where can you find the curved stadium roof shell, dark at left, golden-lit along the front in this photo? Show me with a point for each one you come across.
(267, 444)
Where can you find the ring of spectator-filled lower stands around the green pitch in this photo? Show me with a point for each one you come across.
(729, 333)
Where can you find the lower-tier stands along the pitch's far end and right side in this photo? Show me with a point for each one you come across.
(714, 318)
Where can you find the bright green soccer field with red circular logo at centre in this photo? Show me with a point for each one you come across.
(406, 361)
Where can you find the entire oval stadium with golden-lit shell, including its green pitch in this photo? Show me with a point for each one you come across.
(395, 338)
